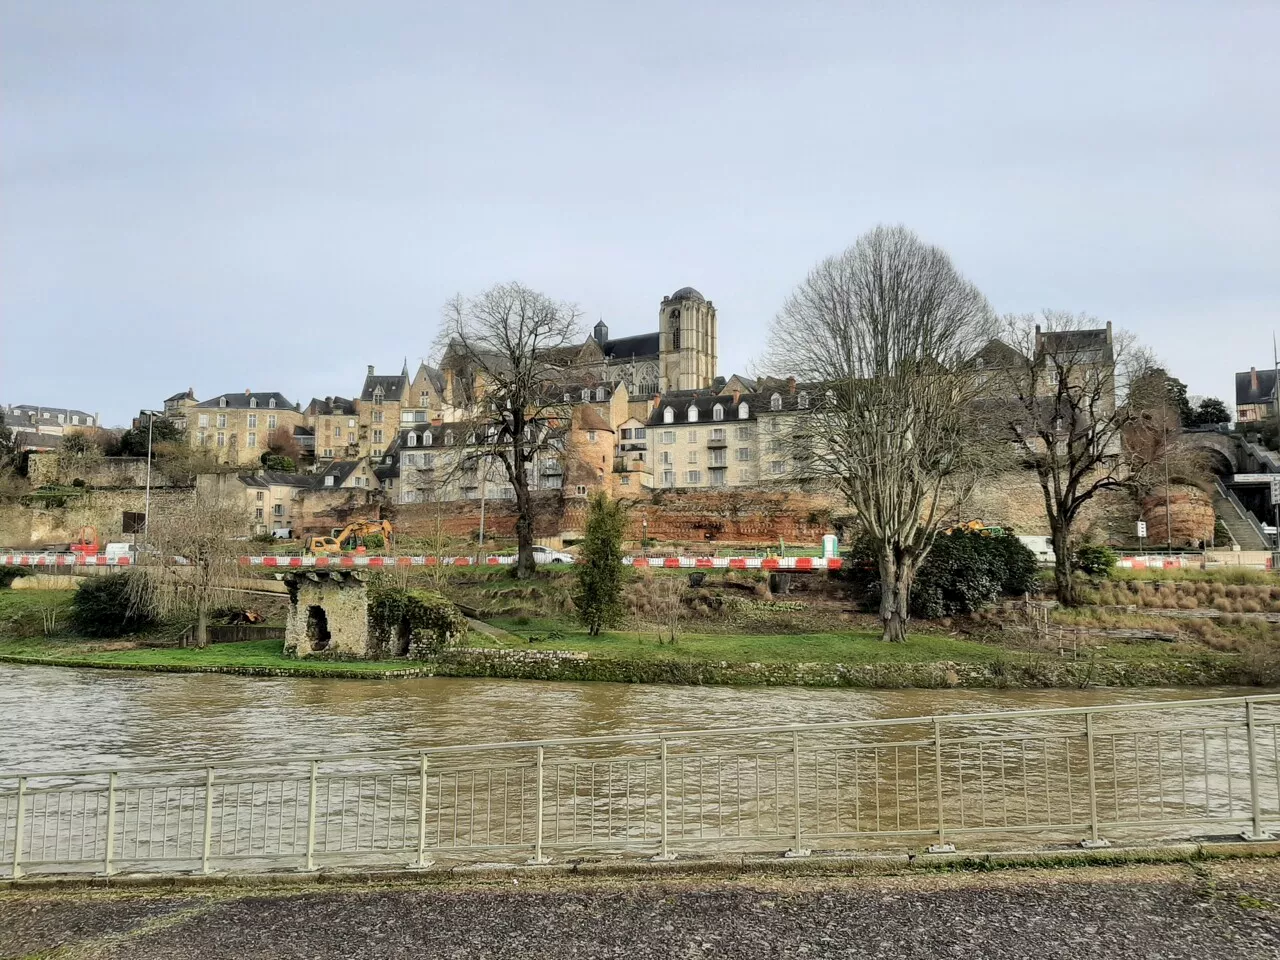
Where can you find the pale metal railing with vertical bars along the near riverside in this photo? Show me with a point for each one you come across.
(1094, 774)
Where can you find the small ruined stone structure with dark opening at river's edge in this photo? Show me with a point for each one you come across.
(328, 614)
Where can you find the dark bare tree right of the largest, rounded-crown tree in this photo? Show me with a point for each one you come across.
(1082, 412)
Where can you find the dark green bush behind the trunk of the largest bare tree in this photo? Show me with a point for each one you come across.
(963, 573)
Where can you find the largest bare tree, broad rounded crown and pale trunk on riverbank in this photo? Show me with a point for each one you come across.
(884, 333)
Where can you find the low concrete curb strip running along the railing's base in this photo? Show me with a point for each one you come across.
(835, 863)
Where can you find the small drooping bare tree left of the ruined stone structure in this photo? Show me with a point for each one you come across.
(194, 560)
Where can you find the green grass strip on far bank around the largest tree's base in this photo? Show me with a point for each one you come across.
(852, 648)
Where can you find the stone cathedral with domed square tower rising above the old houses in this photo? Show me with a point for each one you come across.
(679, 356)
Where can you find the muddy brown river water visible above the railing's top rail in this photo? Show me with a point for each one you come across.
(54, 717)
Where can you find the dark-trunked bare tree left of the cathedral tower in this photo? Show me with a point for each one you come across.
(509, 351)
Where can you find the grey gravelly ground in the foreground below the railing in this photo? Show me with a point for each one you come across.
(1220, 911)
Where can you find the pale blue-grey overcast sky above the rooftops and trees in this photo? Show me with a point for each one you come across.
(276, 195)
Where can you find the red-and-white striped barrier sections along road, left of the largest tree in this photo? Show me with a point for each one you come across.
(798, 565)
